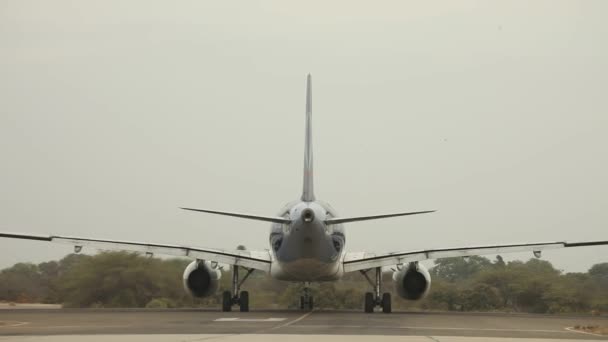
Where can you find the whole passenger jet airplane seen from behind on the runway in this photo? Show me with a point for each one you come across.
(307, 244)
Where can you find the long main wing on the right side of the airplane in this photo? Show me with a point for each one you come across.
(361, 260)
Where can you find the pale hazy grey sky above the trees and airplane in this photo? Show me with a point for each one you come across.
(115, 113)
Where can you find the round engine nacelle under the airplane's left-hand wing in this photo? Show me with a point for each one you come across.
(201, 279)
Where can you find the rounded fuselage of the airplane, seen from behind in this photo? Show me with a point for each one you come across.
(307, 249)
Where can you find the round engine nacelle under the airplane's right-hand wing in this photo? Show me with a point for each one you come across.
(412, 281)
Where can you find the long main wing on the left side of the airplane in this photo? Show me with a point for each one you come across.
(249, 259)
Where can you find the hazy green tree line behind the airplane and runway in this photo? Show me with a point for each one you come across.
(121, 279)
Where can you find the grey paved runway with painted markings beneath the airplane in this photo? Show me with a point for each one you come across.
(191, 325)
